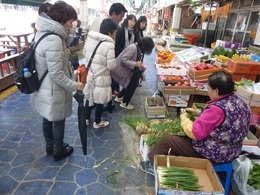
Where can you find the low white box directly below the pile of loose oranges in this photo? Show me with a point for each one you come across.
(170, 70)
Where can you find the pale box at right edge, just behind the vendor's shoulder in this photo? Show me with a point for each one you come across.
(247, 96)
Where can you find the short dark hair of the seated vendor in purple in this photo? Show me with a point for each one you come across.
(221, 81)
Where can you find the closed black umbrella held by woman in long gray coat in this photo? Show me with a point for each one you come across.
(79, 97)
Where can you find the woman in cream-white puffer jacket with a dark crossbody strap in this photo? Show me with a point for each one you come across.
(98, 88)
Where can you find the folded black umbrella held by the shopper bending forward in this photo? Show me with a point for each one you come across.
(134, 82)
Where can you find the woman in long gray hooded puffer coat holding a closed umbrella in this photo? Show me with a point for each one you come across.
(53, 100)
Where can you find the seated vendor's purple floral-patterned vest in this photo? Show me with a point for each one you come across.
(225, 142)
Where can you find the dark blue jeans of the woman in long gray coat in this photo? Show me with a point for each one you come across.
(53, 132)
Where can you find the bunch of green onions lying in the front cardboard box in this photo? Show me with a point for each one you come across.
(178, 178)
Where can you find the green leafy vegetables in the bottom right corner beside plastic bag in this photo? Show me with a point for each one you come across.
(254, 176)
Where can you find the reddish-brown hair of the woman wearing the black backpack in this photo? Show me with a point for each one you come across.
(62, 12)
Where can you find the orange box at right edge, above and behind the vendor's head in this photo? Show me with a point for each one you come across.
(243, 66)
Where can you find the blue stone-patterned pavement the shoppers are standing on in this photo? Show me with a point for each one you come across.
(111, 165)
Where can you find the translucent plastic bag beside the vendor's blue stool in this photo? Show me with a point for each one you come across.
(240, 177)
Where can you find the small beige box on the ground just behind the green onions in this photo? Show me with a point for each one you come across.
(155, 107)
